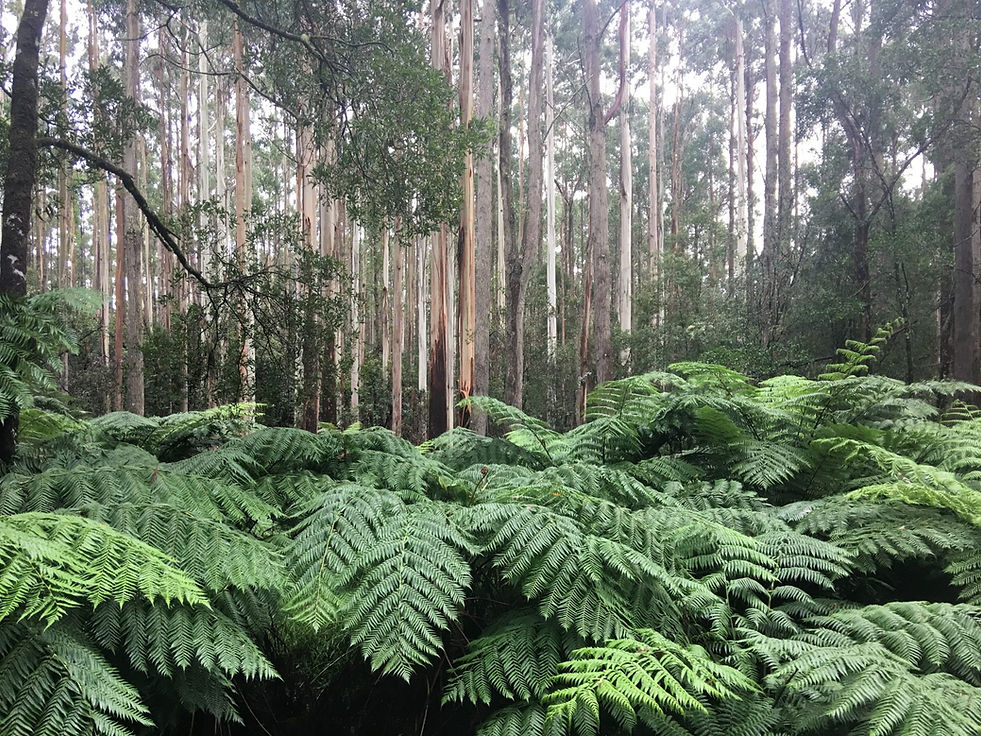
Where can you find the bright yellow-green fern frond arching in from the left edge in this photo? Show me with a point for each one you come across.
(50, 564)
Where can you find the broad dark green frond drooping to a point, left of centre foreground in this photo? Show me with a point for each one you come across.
(393, 575)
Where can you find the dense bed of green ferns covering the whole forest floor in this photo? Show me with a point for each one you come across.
(706, 555)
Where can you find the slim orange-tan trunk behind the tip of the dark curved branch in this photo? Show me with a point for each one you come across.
(243, 200)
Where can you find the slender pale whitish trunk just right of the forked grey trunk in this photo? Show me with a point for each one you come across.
(624, 282)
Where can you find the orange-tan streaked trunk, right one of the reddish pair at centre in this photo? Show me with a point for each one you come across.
(466, 253)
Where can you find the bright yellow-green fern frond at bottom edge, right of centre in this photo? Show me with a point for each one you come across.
(646, 672)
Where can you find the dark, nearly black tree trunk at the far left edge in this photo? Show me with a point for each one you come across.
(20, 176)
